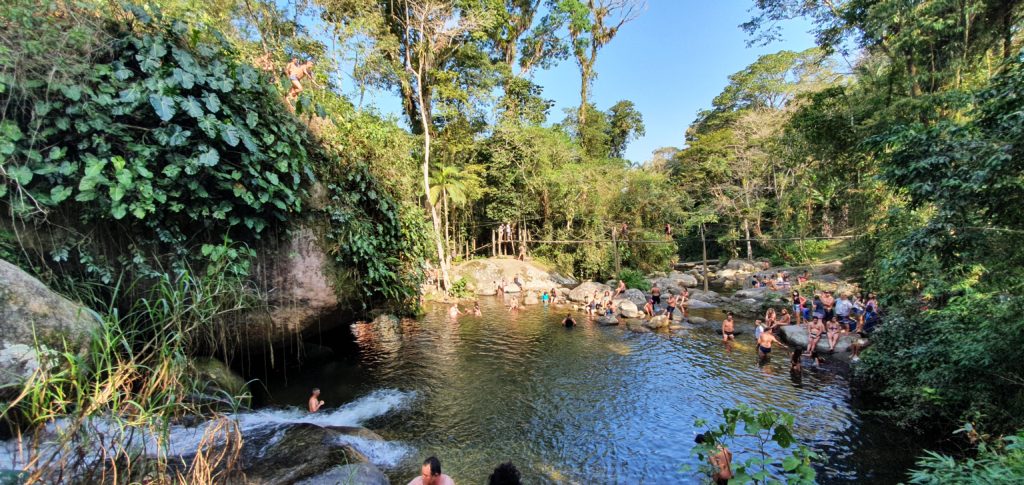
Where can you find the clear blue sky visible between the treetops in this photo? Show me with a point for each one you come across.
(671, 62)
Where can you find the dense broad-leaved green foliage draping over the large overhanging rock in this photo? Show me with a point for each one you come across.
(158, 148)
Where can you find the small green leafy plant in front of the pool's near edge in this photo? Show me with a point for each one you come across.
(753, 436)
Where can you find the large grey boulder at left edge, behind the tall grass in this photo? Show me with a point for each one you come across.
(35, 325)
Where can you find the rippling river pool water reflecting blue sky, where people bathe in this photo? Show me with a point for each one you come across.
(588, 405)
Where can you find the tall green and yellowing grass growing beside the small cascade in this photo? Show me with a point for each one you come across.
(105, 417)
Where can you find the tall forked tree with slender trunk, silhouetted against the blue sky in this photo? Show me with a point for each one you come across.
(592, 25)
